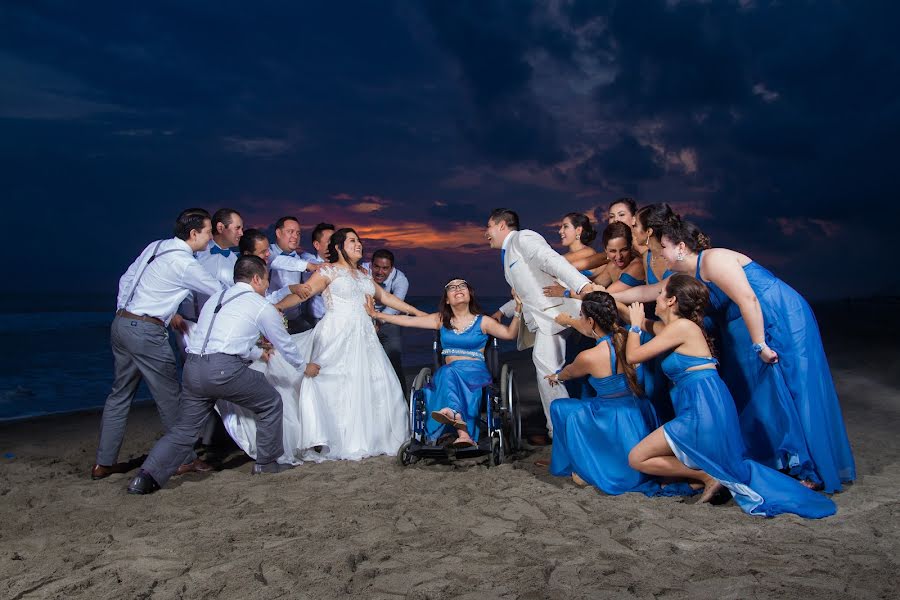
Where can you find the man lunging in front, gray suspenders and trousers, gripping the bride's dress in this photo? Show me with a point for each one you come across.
(219, 351)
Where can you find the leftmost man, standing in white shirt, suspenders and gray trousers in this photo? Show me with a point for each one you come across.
(149, 294)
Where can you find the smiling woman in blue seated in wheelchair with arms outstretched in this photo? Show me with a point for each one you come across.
(454, 397)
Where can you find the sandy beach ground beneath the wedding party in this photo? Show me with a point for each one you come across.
(373, 529)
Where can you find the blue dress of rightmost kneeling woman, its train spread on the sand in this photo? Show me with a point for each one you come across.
(705, 435)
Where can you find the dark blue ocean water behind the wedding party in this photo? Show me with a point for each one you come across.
(57, 358)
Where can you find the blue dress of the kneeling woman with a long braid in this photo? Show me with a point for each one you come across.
(593, 436)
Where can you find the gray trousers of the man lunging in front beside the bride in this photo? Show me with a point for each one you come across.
(207, 379)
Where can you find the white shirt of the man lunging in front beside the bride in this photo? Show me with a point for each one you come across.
(238, 325)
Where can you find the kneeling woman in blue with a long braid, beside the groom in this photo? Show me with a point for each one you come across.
(592, 436)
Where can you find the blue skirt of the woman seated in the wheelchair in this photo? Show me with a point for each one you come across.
(456, 385)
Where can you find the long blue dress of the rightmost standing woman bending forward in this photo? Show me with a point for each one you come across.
(789, 411)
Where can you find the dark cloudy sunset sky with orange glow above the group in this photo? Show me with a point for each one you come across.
(773, 125)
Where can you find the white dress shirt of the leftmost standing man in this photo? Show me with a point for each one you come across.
(165, 282)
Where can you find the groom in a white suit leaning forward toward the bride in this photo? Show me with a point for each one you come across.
(530, 264)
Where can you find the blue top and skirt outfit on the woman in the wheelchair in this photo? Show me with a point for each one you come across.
(457, 385)
